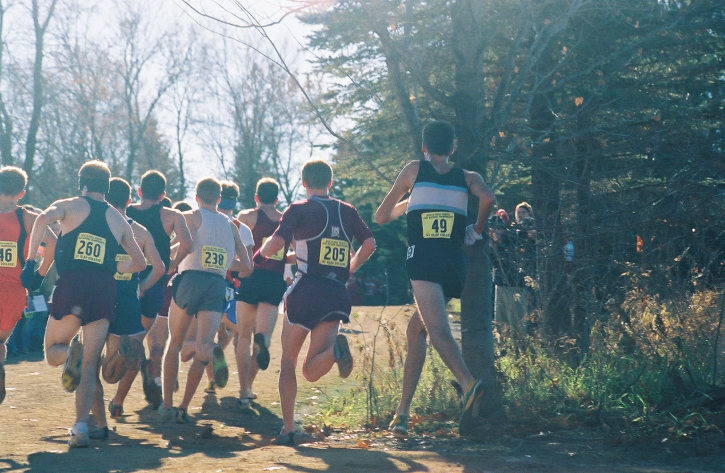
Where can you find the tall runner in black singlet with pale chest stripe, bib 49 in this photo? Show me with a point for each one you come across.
(436, 265)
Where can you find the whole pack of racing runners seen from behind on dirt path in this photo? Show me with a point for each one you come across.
(190, 281)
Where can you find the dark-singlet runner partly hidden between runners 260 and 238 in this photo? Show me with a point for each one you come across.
(161, 222)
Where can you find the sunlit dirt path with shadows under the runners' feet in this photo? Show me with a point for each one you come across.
(36, 415)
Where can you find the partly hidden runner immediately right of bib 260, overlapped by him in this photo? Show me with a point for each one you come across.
(124, 346)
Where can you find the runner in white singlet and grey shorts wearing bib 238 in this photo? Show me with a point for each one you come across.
(200, 290)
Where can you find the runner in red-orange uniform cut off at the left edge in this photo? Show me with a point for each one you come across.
(14, 224)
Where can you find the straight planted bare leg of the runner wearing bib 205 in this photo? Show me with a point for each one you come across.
(293, 336)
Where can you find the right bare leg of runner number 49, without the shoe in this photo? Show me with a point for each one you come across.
(432, 308)
